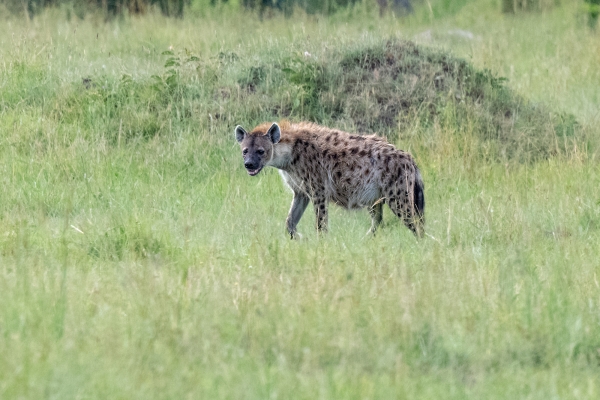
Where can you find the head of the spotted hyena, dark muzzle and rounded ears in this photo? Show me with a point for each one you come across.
(257, 147)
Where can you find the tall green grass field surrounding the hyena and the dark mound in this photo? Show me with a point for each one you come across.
(138, 259)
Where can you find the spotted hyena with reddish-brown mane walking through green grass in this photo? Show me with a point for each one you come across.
(322, 165)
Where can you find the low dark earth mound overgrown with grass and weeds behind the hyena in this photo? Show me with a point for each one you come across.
(397, 88)
